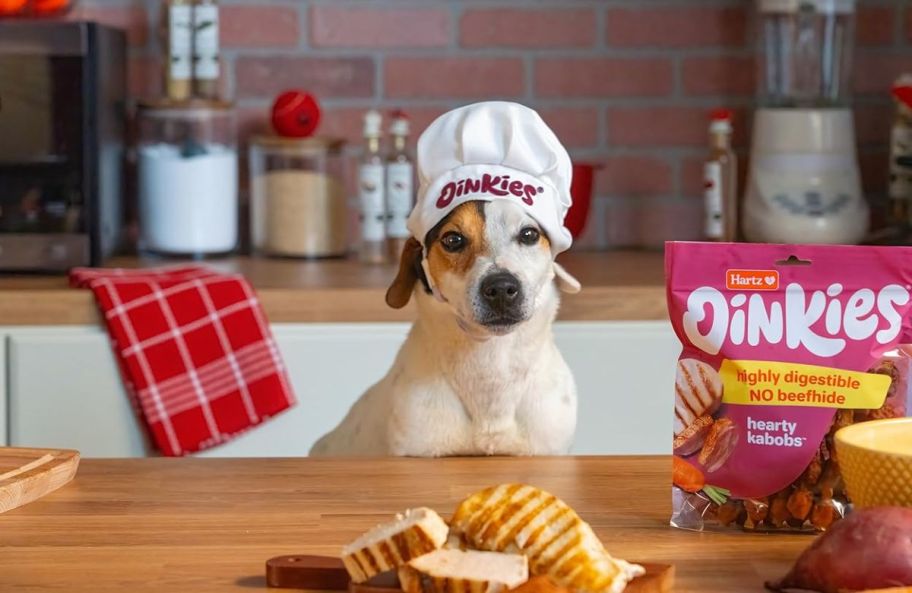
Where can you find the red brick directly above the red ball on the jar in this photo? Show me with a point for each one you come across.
(325, 77)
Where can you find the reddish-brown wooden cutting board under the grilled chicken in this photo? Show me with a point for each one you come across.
(327, 573)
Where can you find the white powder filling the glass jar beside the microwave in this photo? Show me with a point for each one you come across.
(188, 204)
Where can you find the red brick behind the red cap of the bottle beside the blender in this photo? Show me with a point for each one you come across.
(666, 126)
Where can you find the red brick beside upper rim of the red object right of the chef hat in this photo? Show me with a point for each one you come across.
(631, 176)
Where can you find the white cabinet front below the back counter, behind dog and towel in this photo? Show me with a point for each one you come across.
(64, 389)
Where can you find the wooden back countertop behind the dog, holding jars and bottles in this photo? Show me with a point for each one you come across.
(616, 285)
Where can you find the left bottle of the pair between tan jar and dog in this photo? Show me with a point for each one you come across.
(370, 193)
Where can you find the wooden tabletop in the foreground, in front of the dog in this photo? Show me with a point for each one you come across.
(201, 525)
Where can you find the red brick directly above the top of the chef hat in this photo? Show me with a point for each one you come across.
(453, 77)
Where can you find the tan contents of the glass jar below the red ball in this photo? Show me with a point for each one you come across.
(299, 213)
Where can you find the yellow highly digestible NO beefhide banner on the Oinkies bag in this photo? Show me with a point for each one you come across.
(766, 383)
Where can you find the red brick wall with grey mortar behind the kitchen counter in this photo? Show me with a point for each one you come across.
(624, 83)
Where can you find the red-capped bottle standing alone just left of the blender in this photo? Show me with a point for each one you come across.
(720, 181)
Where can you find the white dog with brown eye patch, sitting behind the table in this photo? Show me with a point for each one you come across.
(479, 373)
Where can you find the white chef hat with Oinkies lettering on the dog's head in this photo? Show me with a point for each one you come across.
(488, 151)
